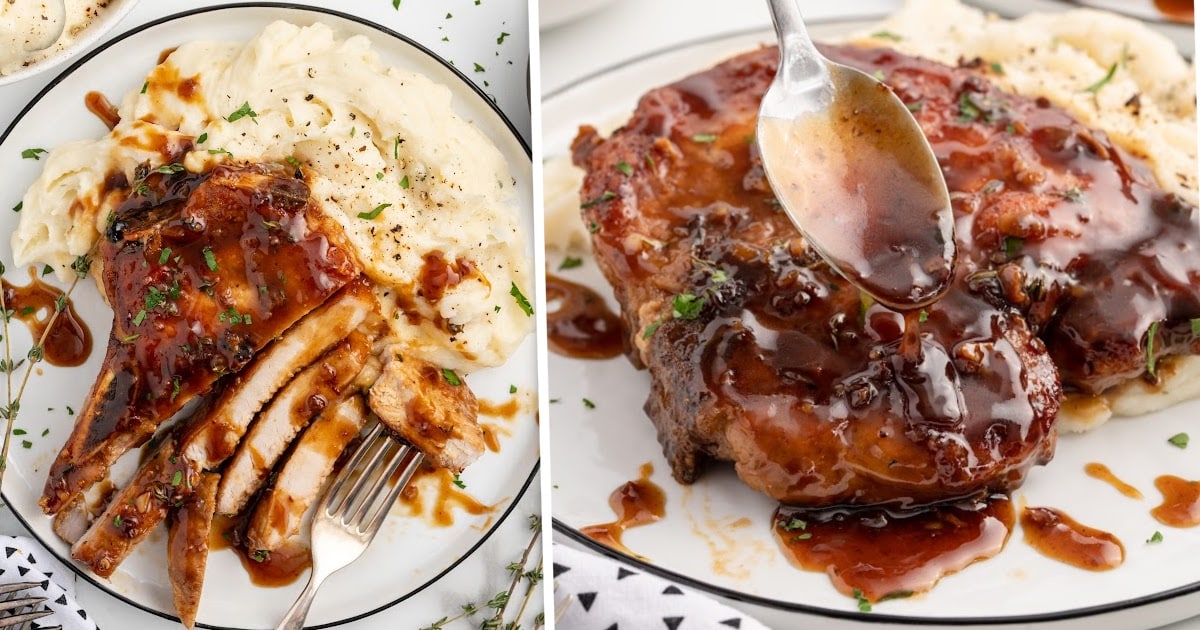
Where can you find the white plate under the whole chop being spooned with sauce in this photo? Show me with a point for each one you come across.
(717, 535)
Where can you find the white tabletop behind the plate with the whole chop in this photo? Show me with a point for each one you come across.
(629, 29)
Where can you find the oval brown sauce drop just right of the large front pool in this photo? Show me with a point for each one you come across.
(1059, 537)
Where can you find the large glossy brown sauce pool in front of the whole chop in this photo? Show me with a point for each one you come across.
(881, 555)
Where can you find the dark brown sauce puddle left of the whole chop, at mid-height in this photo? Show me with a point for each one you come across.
(583, 327)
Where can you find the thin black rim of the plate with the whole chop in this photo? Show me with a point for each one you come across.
(789, 607)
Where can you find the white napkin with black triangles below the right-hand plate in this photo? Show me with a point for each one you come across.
(609, 596)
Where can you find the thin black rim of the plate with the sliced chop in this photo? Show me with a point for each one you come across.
(382, 31)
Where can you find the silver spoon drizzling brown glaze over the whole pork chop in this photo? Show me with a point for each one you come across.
(854, 171)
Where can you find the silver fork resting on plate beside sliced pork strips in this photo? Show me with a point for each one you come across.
(352, 511)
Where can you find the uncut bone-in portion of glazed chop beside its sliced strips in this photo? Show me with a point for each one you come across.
(201, 272)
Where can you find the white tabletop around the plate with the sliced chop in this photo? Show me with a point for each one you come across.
(475, 28)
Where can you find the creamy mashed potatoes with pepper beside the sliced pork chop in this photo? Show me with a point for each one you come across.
(383, 153)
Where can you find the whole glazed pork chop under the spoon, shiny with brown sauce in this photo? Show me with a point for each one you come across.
(761, 356)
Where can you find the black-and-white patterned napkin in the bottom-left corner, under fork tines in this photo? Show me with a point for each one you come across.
(23, 560)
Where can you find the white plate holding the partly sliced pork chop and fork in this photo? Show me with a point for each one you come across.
(410, 555)
